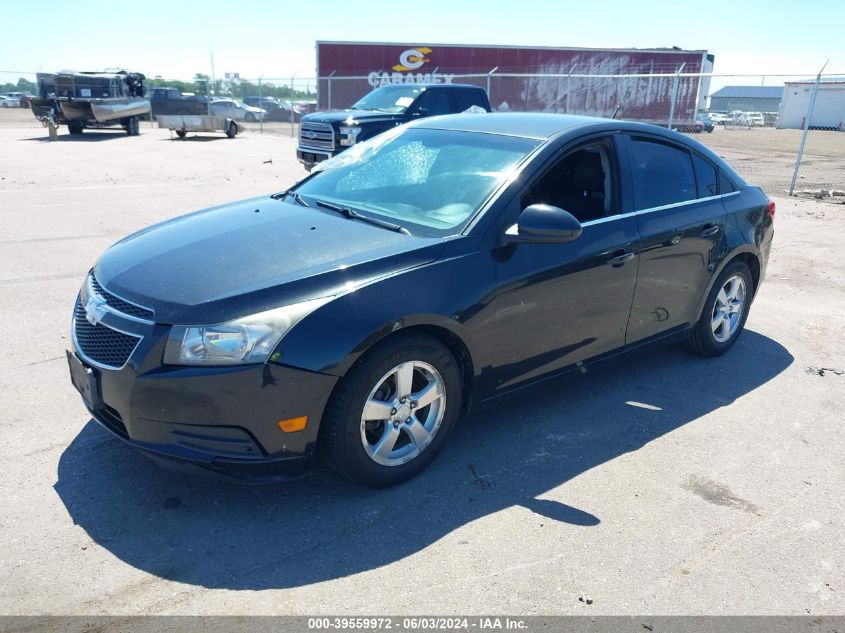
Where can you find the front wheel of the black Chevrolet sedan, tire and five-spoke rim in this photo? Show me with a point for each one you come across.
(351, 434)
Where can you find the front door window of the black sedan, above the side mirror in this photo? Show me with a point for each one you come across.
(583, 182)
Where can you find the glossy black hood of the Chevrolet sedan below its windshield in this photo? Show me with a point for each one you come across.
(254, 255)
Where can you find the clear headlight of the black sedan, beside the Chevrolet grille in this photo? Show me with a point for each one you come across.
(250, 339)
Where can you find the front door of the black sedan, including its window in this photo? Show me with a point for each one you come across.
(557, 304)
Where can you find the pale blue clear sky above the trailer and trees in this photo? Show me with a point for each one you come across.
(276, 39)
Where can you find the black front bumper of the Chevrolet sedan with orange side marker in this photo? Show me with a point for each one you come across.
(218, 419)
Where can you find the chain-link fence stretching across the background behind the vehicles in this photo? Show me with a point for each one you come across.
(759, 123)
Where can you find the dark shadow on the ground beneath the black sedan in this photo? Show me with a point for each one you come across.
(509, 453)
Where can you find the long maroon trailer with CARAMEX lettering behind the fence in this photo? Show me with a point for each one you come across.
(356, 68)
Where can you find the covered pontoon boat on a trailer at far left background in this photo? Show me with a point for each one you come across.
(91, 100)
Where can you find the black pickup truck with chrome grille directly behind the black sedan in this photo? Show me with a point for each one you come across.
(326, 134)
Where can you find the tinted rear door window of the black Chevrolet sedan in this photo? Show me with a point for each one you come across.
(662, 173)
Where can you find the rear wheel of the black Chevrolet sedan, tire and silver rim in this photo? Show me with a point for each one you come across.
(709, 338)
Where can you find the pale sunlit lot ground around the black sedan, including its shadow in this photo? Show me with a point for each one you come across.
(725, 496)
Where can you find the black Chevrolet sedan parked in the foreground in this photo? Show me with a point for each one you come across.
(358, 315)
